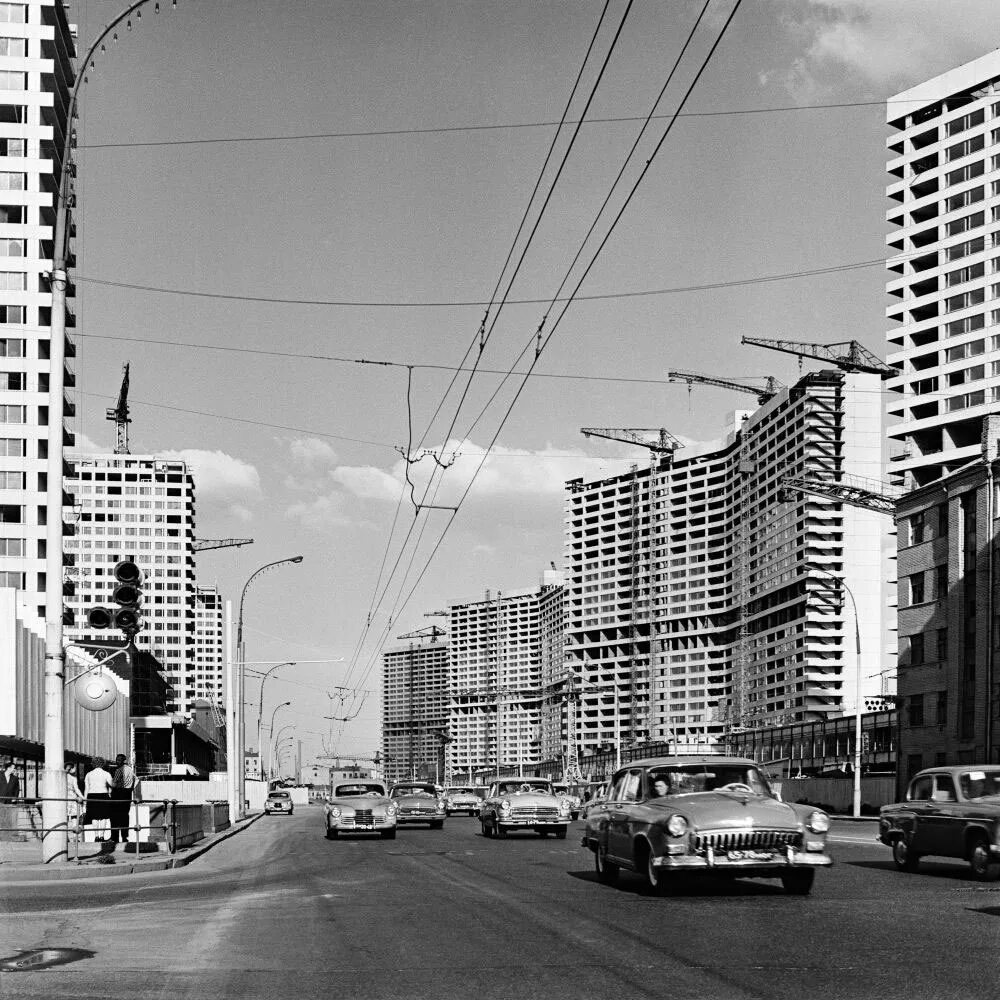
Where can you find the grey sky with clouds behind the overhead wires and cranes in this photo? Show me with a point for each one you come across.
(378, 160)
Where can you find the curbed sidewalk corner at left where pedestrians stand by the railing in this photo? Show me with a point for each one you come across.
(19, 860)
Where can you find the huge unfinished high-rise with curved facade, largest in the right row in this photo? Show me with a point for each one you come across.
(698, 600)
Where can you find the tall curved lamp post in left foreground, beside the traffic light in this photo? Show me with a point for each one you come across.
(54, 812)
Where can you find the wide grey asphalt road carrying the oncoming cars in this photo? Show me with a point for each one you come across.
(279, 912)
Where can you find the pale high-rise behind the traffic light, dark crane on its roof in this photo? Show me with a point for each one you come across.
(142, 508)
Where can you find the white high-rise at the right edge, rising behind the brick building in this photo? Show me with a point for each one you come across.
(944, 194)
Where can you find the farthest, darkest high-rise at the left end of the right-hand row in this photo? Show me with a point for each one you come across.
(415, 678)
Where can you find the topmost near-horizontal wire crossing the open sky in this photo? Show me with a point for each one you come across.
(475, 127)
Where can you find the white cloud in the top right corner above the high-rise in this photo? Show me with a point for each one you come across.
(887, 44)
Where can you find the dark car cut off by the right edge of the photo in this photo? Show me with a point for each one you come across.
(949, 812)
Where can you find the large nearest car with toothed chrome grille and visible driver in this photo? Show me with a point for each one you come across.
(667, 817)
